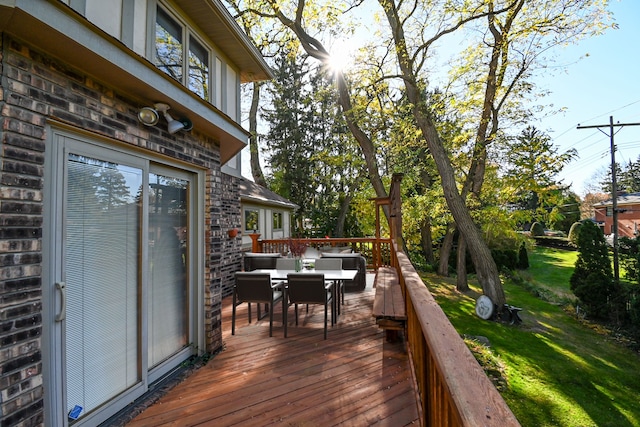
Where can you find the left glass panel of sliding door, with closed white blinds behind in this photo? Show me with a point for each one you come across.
(102, 268)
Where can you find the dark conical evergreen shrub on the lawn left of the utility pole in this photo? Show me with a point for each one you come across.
(592, 279)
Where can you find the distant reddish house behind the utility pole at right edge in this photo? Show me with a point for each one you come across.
(628, 215)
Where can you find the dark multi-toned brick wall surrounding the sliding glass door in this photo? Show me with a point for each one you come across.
(36, 88)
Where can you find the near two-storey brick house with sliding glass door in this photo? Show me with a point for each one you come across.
(115, 252)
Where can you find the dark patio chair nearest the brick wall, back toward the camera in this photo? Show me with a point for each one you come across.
(252, 287)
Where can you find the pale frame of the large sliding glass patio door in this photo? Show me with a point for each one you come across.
(53, 273)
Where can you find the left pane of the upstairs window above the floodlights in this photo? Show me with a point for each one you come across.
(169, 45)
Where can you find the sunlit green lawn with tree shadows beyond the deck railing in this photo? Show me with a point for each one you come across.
(558, 371)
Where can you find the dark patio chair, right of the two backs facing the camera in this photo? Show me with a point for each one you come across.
(307, 288)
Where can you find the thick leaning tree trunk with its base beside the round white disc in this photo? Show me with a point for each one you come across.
(486, 269)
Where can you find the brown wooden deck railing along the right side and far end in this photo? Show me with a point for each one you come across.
(452, 387)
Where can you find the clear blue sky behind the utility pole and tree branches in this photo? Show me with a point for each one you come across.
(600, 78)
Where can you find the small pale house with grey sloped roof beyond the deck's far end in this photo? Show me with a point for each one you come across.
(264, 212)
